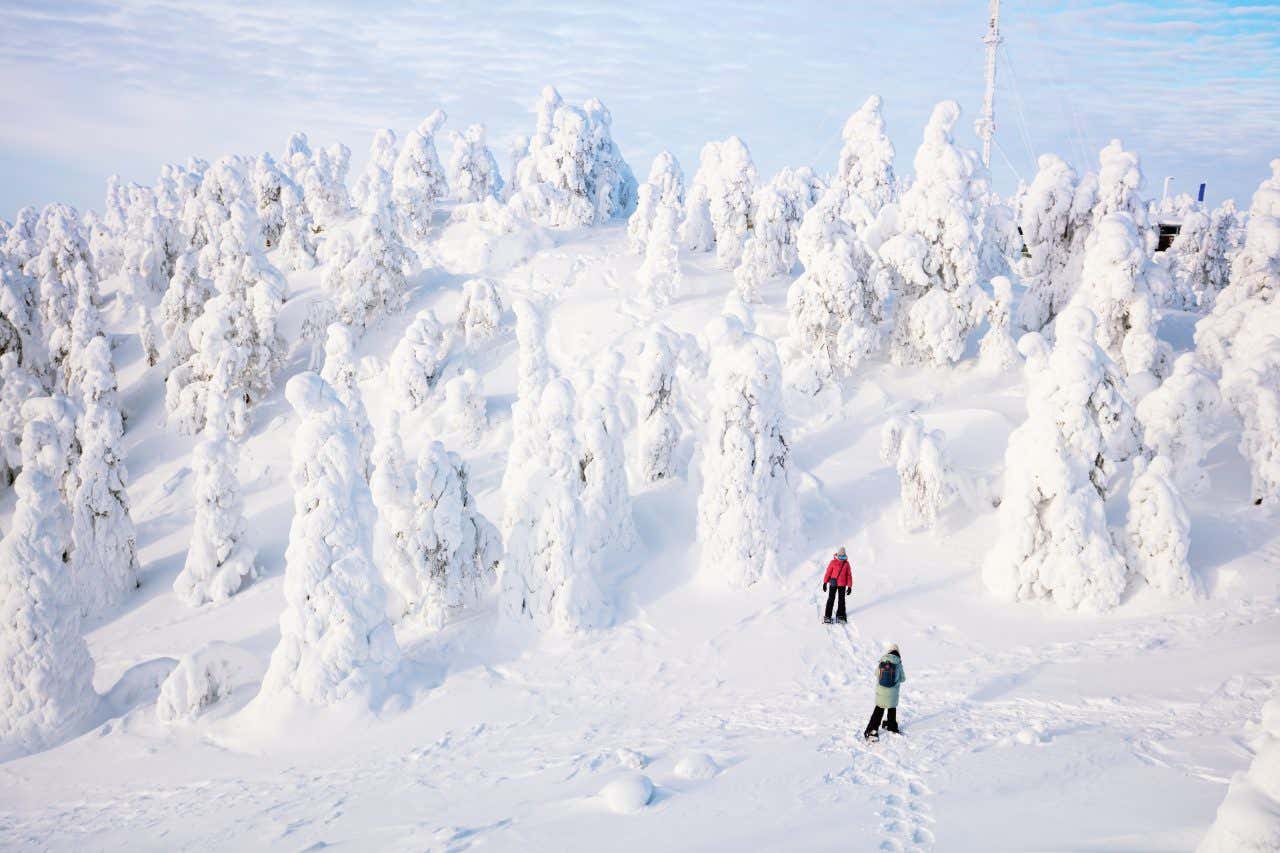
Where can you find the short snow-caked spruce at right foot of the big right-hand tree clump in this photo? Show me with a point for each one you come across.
(1158, 530)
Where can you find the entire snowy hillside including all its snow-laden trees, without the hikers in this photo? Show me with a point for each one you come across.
(469, 505)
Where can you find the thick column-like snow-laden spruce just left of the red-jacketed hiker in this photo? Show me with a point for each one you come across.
(747, 513)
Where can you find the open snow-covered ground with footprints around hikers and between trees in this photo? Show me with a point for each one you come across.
(1026, 727)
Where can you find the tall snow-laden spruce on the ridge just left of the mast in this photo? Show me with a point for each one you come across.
(935, 257)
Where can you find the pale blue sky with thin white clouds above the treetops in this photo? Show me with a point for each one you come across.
(93, 88)
